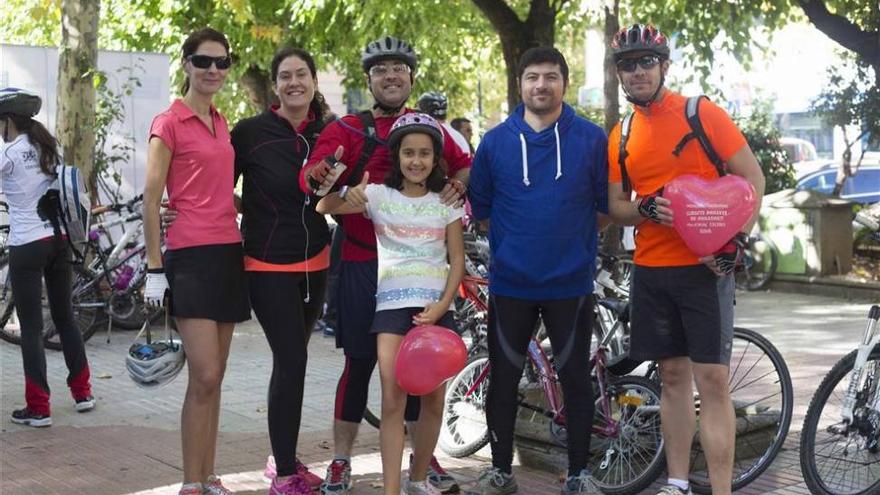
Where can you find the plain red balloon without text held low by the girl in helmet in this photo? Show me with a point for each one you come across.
(428, 356)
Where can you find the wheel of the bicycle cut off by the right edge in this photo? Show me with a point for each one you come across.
(836, 459)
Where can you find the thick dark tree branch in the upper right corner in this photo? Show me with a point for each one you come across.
(866, 44)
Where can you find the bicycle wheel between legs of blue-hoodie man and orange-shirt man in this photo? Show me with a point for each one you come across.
(629, 459)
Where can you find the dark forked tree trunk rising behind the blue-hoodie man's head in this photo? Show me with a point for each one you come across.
(517, 35)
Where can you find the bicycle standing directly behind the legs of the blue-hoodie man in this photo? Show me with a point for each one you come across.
(626, 454)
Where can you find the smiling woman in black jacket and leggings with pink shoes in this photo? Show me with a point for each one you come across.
(286, 246)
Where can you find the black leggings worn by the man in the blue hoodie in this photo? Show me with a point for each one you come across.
(511, 324)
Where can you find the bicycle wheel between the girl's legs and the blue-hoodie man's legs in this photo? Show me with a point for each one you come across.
(463, 430)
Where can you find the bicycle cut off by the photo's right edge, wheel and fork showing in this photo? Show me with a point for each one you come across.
(840, 441)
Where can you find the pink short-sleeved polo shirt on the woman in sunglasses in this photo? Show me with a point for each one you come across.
(200, 178)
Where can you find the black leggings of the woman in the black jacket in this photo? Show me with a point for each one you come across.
(287, 320)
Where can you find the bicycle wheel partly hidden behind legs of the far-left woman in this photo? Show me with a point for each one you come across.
(87, 301)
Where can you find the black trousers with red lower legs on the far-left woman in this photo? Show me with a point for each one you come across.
(28, 265)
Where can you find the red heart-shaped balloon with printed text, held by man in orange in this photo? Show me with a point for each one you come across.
(708, 213)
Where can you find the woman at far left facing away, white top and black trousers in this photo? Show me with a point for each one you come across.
(27, 160)
